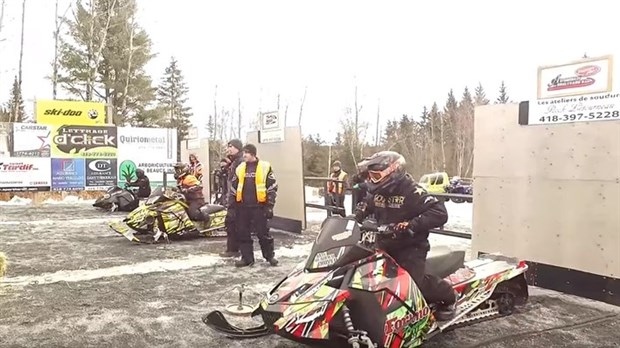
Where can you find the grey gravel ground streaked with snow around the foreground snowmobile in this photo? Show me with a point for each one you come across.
(74, 283)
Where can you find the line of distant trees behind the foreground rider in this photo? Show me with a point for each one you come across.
(440, 138)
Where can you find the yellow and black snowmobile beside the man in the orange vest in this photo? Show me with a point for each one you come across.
(164, 215)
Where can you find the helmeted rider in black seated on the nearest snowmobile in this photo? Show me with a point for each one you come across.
(395, 198)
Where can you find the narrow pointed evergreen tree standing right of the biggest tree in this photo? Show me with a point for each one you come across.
(172, 98)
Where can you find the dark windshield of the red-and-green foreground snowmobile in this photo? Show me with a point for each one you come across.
(336, 245)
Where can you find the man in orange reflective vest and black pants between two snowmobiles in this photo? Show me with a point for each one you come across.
(253, 192)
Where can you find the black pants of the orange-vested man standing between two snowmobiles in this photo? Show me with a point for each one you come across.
(250, 219)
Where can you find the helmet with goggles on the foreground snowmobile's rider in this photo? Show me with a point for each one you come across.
(385, 169)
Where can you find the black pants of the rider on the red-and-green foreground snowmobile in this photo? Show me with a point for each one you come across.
(433, 288)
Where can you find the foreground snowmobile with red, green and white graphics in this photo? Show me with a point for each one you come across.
(351, 293)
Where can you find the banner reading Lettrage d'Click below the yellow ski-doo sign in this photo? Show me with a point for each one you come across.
(84, 142)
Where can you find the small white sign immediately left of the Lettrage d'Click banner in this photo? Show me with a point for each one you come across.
(31, 140)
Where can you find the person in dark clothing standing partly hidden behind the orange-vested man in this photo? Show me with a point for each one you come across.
(235, 156)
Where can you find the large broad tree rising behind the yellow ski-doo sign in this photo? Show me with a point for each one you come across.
(103, 56)
